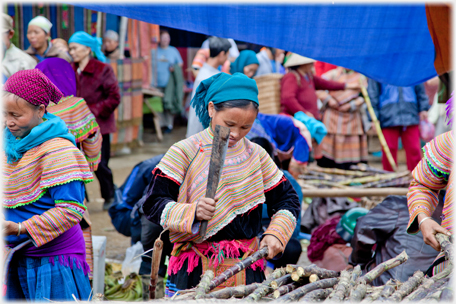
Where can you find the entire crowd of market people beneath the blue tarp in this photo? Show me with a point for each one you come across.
(59, 99)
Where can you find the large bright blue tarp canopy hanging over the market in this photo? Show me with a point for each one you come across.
(387, 42)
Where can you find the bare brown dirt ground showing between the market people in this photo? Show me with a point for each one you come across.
(121, 167)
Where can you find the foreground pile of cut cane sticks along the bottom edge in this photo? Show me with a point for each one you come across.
(314, 284)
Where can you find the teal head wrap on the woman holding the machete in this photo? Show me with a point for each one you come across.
(220, 88)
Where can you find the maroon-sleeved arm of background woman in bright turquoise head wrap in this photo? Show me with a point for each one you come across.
(104, 108)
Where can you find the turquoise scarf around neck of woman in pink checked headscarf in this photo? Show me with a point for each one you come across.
(52, 127)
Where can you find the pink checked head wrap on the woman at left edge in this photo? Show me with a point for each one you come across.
(33, 86)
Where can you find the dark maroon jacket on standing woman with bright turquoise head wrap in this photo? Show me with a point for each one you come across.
(97, 84)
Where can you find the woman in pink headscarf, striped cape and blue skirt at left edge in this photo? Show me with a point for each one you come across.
(43, 197)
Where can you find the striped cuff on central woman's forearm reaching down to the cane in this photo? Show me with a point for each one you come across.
(282, 226)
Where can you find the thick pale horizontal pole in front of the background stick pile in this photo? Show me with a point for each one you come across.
(354, 192)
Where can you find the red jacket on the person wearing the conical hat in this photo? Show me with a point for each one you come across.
(296, 97)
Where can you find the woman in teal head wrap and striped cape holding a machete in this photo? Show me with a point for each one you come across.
(249, 178)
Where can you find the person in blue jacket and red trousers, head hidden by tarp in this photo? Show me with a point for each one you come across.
(400, 110)
